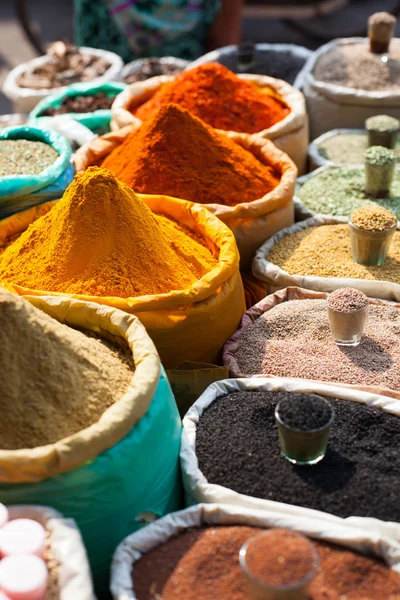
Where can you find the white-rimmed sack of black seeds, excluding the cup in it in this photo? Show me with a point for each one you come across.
(235, 444)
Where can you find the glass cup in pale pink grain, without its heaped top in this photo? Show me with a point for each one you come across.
(347, 327)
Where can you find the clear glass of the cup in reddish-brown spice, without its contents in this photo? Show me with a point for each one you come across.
(259, 590)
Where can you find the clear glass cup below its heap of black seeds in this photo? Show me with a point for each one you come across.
(306, 447)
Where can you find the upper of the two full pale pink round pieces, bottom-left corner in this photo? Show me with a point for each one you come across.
(22, 536)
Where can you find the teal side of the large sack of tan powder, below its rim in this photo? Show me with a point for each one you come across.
(107, 496)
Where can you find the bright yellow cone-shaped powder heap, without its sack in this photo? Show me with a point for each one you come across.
(102, 240)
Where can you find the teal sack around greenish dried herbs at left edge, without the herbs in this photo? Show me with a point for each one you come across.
(19, 192)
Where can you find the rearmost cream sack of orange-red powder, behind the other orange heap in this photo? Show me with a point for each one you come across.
(249, 104)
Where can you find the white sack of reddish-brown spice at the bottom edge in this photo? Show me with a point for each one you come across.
(194, 553)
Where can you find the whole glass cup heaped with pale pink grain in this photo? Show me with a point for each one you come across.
(347, 315)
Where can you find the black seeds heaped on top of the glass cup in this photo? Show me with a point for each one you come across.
(304, 411)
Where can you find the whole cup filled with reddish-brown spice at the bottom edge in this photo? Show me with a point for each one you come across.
(278, 564)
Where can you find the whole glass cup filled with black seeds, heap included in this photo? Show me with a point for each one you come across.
(304, 423)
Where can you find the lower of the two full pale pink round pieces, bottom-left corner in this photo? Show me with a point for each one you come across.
(23, 577)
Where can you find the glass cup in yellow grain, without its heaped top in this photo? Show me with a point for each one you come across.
(370, 247)
